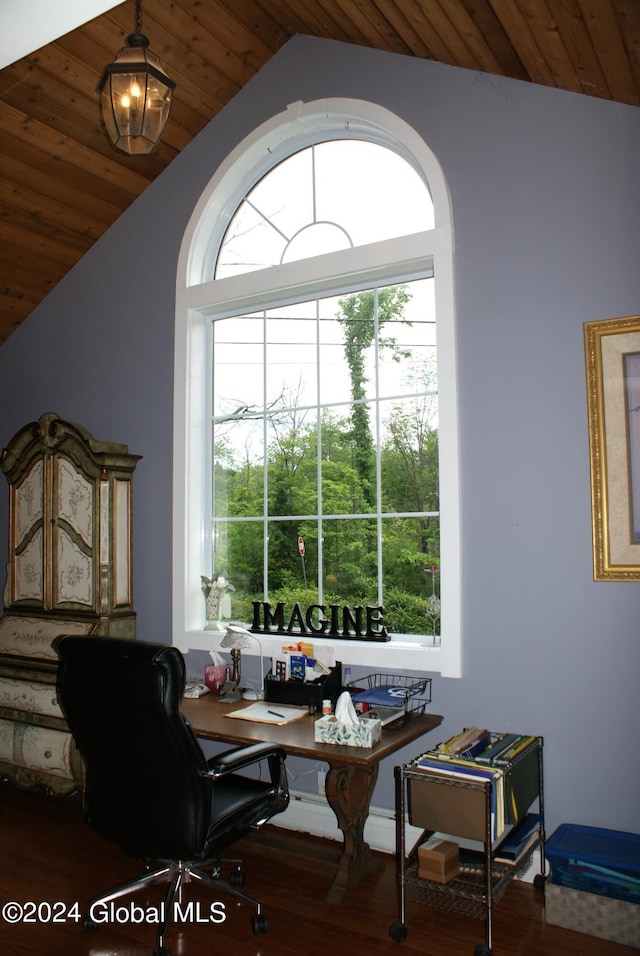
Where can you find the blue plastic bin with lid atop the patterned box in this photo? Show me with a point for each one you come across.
(595, 860)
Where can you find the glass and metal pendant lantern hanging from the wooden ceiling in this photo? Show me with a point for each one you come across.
(135, 95)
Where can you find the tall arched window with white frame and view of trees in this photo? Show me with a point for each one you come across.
(315, 377)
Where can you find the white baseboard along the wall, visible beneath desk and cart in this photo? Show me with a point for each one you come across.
(310, 813)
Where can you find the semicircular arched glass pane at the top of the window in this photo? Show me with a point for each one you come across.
(329, 196)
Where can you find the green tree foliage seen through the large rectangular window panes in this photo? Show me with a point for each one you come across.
(341, 553)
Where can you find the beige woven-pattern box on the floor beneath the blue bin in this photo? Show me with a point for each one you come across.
(600, 916)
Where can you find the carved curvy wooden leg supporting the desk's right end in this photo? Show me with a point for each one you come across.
(349, 791)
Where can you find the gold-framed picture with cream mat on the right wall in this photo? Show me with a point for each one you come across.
(612, 355)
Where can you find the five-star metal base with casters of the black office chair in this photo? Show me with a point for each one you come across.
(104, 908)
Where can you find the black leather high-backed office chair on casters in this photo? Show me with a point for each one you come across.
(148, 786)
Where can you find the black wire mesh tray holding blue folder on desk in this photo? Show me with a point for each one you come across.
(391, 696)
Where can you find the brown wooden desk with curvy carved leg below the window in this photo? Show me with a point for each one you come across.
(350, 781)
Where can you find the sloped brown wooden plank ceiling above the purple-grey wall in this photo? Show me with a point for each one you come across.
(62, 184)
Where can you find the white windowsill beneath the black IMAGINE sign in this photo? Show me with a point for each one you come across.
(397, 654)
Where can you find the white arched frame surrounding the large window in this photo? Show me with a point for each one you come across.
(198, 298)
